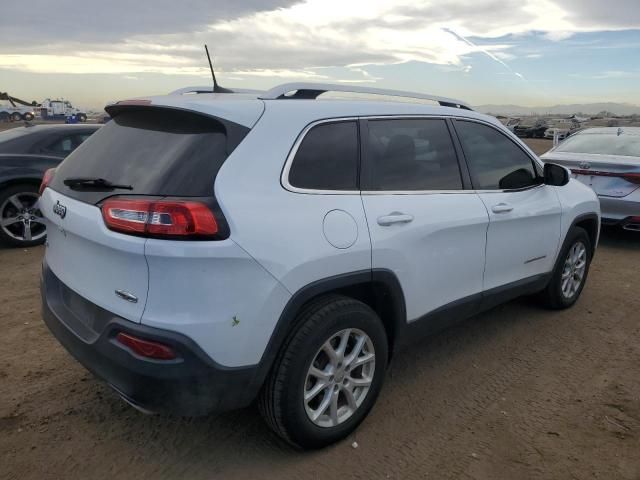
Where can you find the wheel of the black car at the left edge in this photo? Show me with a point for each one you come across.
(12, 201)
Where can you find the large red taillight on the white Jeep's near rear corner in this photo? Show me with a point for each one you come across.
(159, 218)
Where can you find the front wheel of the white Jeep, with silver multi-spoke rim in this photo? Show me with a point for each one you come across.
(554, 295)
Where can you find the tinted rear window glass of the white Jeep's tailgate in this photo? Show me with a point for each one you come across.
(156, 151)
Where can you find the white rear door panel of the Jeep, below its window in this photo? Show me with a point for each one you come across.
(438, 256)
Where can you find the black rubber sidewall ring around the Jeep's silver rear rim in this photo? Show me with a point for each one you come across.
(303, 430)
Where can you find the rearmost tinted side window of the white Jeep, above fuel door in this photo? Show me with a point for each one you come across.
(327, 158)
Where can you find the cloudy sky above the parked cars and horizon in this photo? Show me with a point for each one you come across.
(524, 52)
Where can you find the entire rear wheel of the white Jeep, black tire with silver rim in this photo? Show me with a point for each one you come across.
(282, 400)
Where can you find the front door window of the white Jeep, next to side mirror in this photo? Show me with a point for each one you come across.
(495, 162)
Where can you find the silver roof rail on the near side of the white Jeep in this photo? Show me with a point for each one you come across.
(313, 90)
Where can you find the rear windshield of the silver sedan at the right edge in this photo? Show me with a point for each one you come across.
(602, 144)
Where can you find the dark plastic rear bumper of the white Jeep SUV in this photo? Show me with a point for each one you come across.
(192, 384)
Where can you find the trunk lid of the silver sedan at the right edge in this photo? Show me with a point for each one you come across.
(607, 175)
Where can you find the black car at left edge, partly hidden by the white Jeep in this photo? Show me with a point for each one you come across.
(25, 154)
